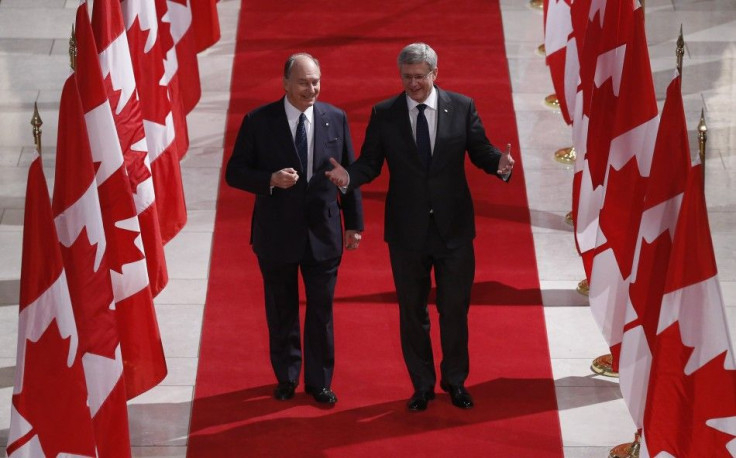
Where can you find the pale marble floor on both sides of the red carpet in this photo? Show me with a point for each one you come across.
(34, 63)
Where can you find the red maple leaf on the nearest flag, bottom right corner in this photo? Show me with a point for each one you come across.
(679, 405)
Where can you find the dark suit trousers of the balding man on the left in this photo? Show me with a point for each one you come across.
(281, 289)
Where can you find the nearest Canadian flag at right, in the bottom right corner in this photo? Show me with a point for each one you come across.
(691, 401)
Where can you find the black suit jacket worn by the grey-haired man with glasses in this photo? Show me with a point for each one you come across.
(413, 192)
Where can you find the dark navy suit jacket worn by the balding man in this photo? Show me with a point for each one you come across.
(284, 218)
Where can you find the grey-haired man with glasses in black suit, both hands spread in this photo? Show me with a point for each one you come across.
(423, 135)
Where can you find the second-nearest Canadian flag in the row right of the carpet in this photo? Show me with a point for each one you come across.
(662, 198)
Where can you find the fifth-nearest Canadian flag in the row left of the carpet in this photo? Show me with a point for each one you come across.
(141, 24)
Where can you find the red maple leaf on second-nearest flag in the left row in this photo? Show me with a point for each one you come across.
(91, 294)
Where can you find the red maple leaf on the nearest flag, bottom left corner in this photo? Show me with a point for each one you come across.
(54, 397)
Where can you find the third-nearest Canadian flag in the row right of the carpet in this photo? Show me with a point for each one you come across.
(621, 135)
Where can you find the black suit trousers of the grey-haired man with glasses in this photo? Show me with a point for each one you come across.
(454, 270)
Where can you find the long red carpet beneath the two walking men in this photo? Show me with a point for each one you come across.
(510, 377)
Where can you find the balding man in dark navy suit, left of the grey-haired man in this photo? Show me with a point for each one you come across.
(280, 155)
